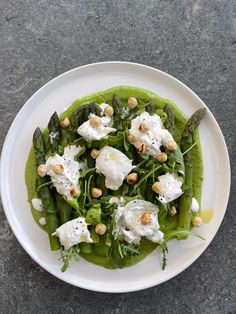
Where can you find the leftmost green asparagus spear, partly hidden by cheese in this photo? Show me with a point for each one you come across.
(45, 193)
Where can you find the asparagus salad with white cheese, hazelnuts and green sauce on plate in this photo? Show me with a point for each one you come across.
(115, 176)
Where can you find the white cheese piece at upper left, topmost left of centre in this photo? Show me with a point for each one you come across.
(90, 133)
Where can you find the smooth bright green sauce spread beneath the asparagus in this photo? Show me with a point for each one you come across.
(98, 256)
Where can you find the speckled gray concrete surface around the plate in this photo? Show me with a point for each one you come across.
(194, 41)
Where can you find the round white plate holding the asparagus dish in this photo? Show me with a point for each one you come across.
(59, 94)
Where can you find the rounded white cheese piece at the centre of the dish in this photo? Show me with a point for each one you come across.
(114, 165)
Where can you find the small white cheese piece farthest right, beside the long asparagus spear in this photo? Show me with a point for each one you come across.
(170, 187)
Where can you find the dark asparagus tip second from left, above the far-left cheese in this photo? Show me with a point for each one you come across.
(54, 133)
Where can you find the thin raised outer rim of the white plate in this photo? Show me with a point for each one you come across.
(4, 155)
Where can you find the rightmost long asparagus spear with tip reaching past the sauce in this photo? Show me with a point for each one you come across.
(186, 142)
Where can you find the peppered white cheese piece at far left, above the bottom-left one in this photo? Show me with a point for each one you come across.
(68, 179)
